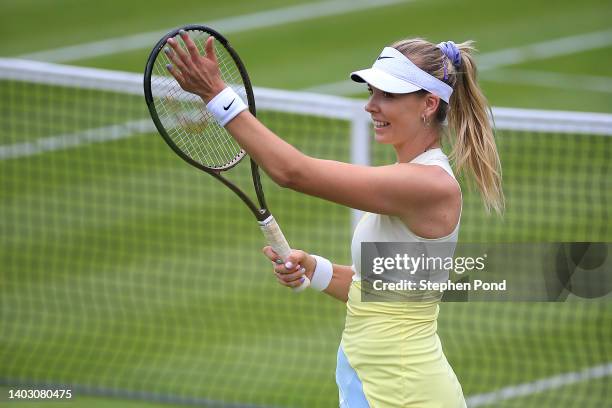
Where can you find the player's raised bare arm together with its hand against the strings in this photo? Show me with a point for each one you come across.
(393, 190)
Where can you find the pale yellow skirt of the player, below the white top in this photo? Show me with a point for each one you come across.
(397, 355)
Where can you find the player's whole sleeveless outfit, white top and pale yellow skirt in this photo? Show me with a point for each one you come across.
(393, 346)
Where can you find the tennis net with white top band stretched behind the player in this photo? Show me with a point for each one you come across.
(128, 273)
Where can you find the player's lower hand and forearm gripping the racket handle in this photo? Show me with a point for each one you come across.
(300, 263)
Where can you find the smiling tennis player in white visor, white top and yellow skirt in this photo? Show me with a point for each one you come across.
(390, 354)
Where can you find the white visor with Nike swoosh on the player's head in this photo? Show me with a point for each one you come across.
(393, 72)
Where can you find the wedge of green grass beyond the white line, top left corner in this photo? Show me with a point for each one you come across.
(70, 22)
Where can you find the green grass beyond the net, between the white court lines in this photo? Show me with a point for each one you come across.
(324, 50)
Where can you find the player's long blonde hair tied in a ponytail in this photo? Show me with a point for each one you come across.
(474, 151)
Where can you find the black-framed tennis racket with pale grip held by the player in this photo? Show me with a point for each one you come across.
(192, 132)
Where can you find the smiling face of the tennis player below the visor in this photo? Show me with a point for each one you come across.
(397, 117)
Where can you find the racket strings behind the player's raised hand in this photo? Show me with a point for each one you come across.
(185, 117)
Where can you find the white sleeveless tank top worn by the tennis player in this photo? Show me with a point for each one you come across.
(387, 228)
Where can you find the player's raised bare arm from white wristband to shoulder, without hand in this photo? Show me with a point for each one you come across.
(382, 189)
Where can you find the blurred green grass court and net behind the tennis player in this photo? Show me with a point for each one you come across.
(135, 280)
